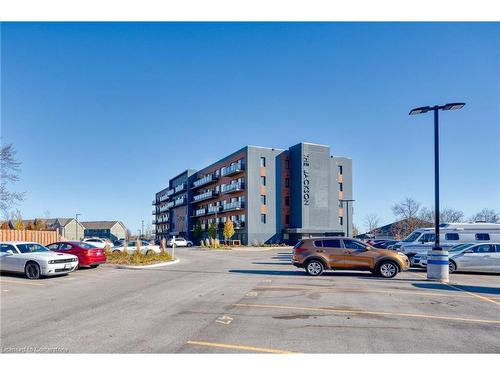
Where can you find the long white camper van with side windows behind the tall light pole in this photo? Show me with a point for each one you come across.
(450, 234)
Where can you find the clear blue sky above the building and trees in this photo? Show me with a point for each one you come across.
(103, 114)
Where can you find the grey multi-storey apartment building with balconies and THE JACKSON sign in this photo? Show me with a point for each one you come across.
(271, 195)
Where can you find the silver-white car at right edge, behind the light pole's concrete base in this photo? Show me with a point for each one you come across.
(483, 257)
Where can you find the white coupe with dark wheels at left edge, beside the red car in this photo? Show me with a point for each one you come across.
(34, 260)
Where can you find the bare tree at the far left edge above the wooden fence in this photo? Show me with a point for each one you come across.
(9, 173)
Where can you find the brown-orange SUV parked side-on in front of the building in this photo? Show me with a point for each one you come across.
(318, 254)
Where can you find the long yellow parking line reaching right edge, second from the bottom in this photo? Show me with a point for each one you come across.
(365, 312)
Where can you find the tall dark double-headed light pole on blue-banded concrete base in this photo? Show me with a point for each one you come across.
(438, 261)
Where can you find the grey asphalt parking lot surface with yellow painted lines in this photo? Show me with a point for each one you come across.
(248, 302)
